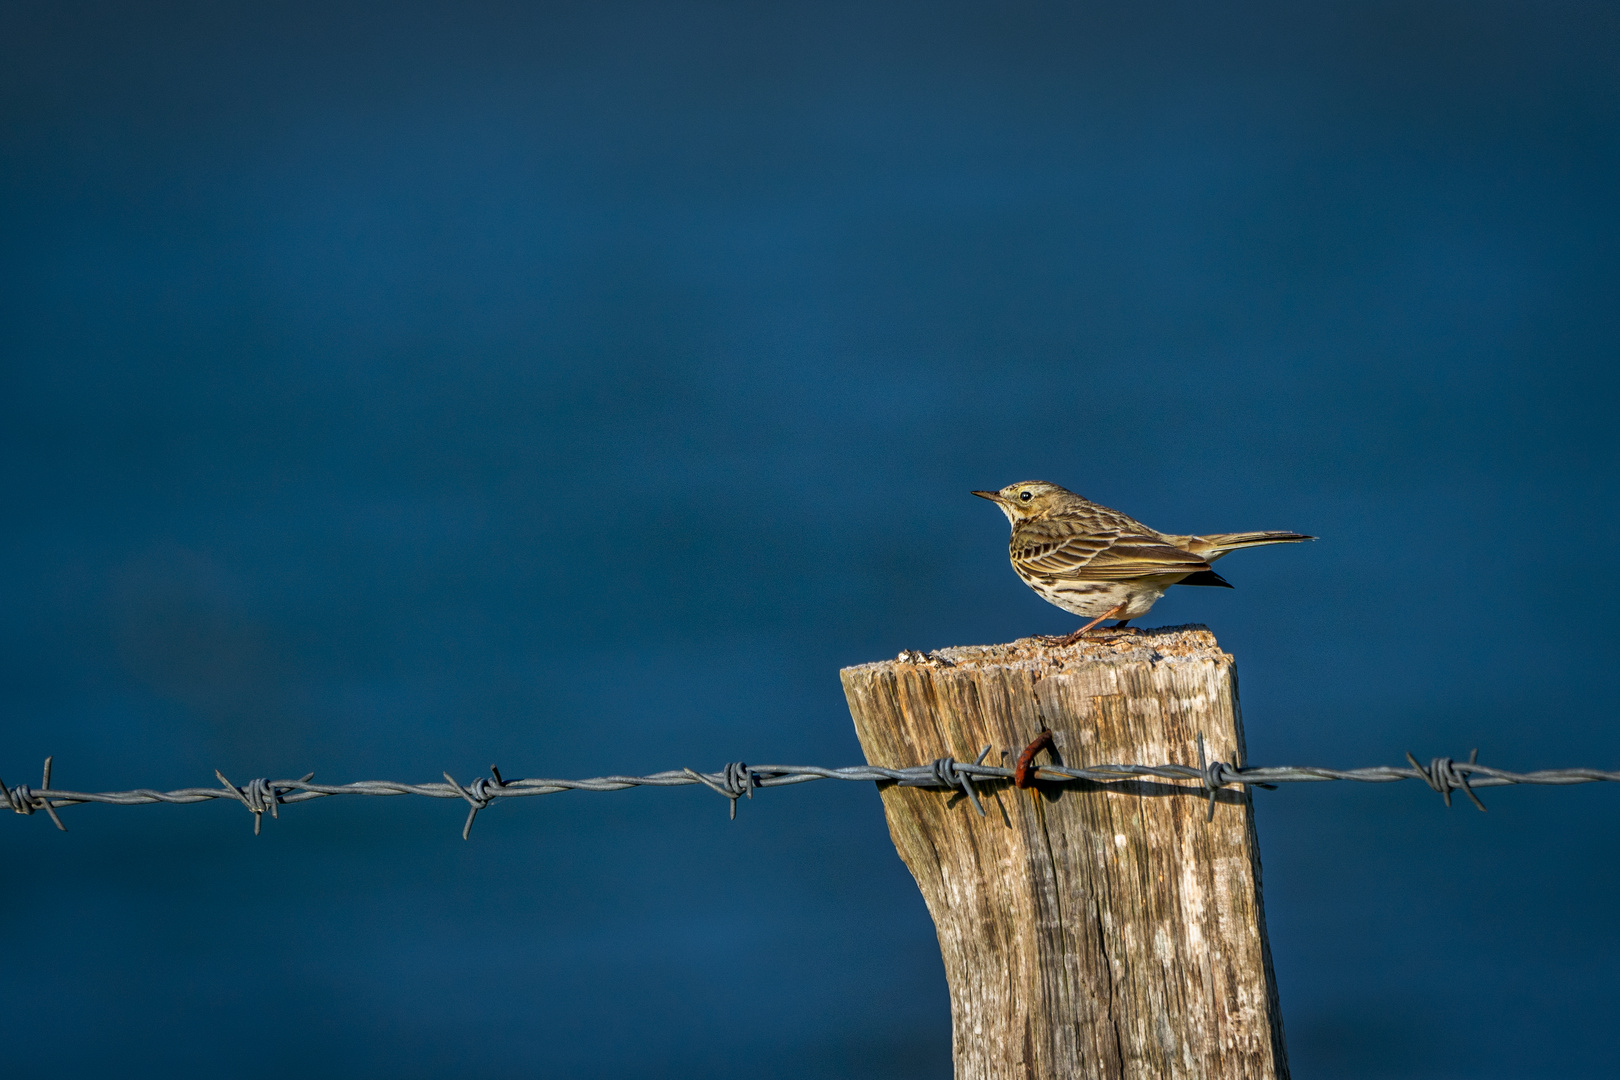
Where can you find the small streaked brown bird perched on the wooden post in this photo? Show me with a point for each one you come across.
(1099, 564)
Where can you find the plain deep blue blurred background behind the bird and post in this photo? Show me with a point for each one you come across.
(406, 388)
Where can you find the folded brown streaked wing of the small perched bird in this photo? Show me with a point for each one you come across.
(1098, 550)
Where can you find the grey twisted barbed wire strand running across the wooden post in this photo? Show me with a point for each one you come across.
(740, 781)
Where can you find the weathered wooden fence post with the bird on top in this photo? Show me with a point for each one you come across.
(1096, 930)
